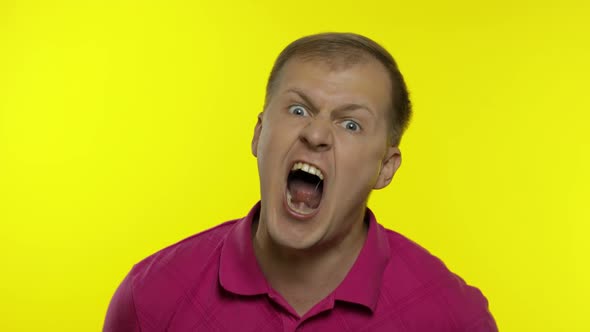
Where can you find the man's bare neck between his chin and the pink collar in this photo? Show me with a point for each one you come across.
(306, 276)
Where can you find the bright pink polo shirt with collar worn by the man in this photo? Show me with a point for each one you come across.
(212, 282)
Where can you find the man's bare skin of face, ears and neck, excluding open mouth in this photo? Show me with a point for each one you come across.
(334, 118)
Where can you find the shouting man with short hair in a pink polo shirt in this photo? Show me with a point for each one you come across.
(310, 256)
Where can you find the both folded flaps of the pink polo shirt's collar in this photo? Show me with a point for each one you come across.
(240, 273)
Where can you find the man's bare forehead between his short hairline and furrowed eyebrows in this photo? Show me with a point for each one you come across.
(335, 81)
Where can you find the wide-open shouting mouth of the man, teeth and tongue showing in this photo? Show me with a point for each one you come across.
(305, 188)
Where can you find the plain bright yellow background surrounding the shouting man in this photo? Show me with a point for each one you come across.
(125, 126)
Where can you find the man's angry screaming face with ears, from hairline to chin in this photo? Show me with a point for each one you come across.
(329, 120)
